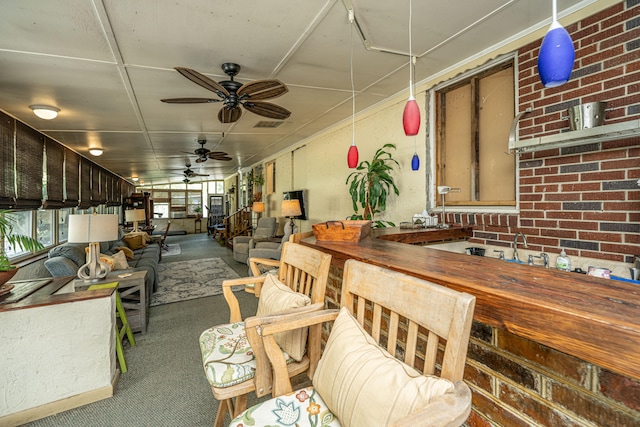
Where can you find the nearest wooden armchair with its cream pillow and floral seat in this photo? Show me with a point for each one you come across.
(366, 375)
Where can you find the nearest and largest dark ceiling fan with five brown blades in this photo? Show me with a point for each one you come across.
(233, 94)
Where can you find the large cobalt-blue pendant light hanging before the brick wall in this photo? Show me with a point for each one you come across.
(555, 60)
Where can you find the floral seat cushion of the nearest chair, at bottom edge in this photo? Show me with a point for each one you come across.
(301, 408)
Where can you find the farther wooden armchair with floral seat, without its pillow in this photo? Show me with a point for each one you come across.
(303, 270)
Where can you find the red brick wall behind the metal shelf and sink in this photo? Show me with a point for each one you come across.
(585, 199)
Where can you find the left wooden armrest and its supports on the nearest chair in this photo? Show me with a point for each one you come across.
(281, 383)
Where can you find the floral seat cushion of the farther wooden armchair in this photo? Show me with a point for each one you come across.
(227, 357)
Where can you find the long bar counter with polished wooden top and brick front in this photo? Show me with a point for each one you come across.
(593, 320)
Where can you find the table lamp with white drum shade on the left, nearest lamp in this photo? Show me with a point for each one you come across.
(93, 229)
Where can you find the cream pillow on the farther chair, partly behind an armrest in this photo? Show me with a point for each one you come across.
(275, 296)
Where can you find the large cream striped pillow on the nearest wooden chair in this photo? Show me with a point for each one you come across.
(364, 385)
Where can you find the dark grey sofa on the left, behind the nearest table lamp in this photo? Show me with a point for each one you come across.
(66, 259)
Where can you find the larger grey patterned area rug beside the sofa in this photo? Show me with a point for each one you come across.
(185, 280)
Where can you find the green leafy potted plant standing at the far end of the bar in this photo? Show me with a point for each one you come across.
(370, 185)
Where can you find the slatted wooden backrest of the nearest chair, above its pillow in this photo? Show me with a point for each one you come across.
(401, 295)
